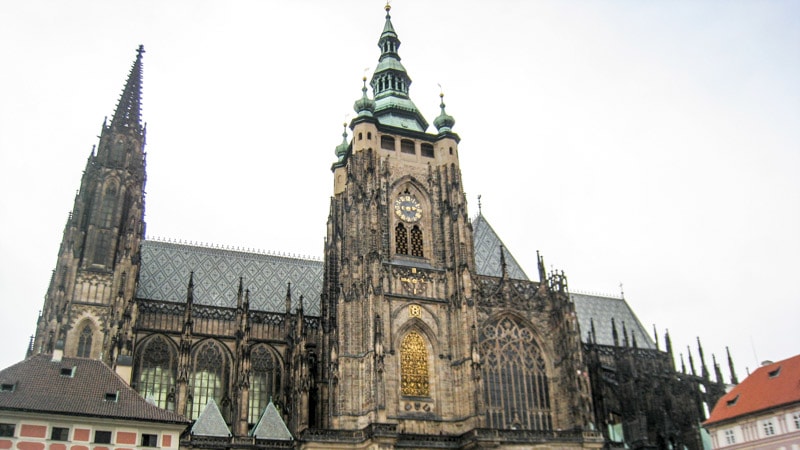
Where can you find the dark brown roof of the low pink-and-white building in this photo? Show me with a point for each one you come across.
(39, 386)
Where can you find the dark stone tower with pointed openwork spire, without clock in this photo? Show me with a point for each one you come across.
(87, 307)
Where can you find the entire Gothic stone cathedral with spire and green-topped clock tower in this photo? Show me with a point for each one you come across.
(417, 329)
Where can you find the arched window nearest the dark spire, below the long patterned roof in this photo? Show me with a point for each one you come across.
(157, 370)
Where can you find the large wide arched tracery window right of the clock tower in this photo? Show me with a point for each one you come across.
(516, 384)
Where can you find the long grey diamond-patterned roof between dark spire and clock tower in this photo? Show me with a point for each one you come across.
(165, 269)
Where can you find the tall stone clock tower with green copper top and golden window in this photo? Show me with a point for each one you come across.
(397, 306)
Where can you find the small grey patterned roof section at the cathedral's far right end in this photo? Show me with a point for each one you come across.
(601, 310)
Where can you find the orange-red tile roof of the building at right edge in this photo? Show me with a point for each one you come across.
(769, 386)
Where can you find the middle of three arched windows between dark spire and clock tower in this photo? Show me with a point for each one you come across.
(210, 377)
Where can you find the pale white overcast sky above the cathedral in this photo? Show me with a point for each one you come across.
(654, 143)
